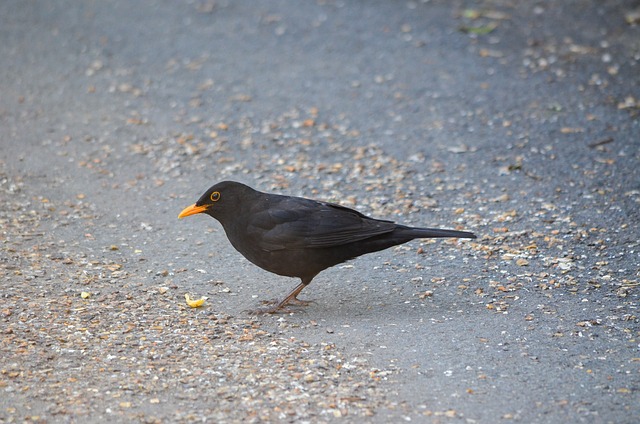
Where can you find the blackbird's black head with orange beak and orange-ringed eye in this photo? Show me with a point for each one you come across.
(219, 200)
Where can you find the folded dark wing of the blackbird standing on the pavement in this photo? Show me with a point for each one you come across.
(303, 223)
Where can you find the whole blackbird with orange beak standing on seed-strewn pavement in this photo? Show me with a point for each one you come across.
(298, 237)
